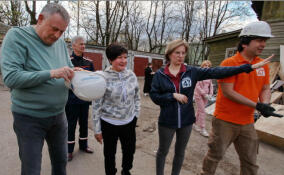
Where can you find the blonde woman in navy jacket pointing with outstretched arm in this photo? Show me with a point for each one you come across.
(172, 89)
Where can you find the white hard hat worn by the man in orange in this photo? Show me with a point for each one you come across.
(258, 28)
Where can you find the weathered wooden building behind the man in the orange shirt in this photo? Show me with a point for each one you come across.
(224, 45)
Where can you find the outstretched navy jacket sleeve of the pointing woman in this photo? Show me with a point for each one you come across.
(221, 72)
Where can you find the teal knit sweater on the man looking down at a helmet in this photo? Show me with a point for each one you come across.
(26, 63)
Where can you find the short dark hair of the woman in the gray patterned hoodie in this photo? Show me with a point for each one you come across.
(114, 50)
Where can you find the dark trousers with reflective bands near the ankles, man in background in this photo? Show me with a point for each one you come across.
(75, 113)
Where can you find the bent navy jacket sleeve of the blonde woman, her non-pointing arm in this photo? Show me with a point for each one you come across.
(156, 94)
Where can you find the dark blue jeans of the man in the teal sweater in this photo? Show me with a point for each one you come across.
(31, 133)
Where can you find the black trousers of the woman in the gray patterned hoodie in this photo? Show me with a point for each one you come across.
(127, 136)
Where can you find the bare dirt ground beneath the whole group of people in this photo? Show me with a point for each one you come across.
(270, 159)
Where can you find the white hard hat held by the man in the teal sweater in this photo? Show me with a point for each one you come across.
(87, 85)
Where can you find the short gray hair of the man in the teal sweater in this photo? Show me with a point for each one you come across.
(54, 8)
